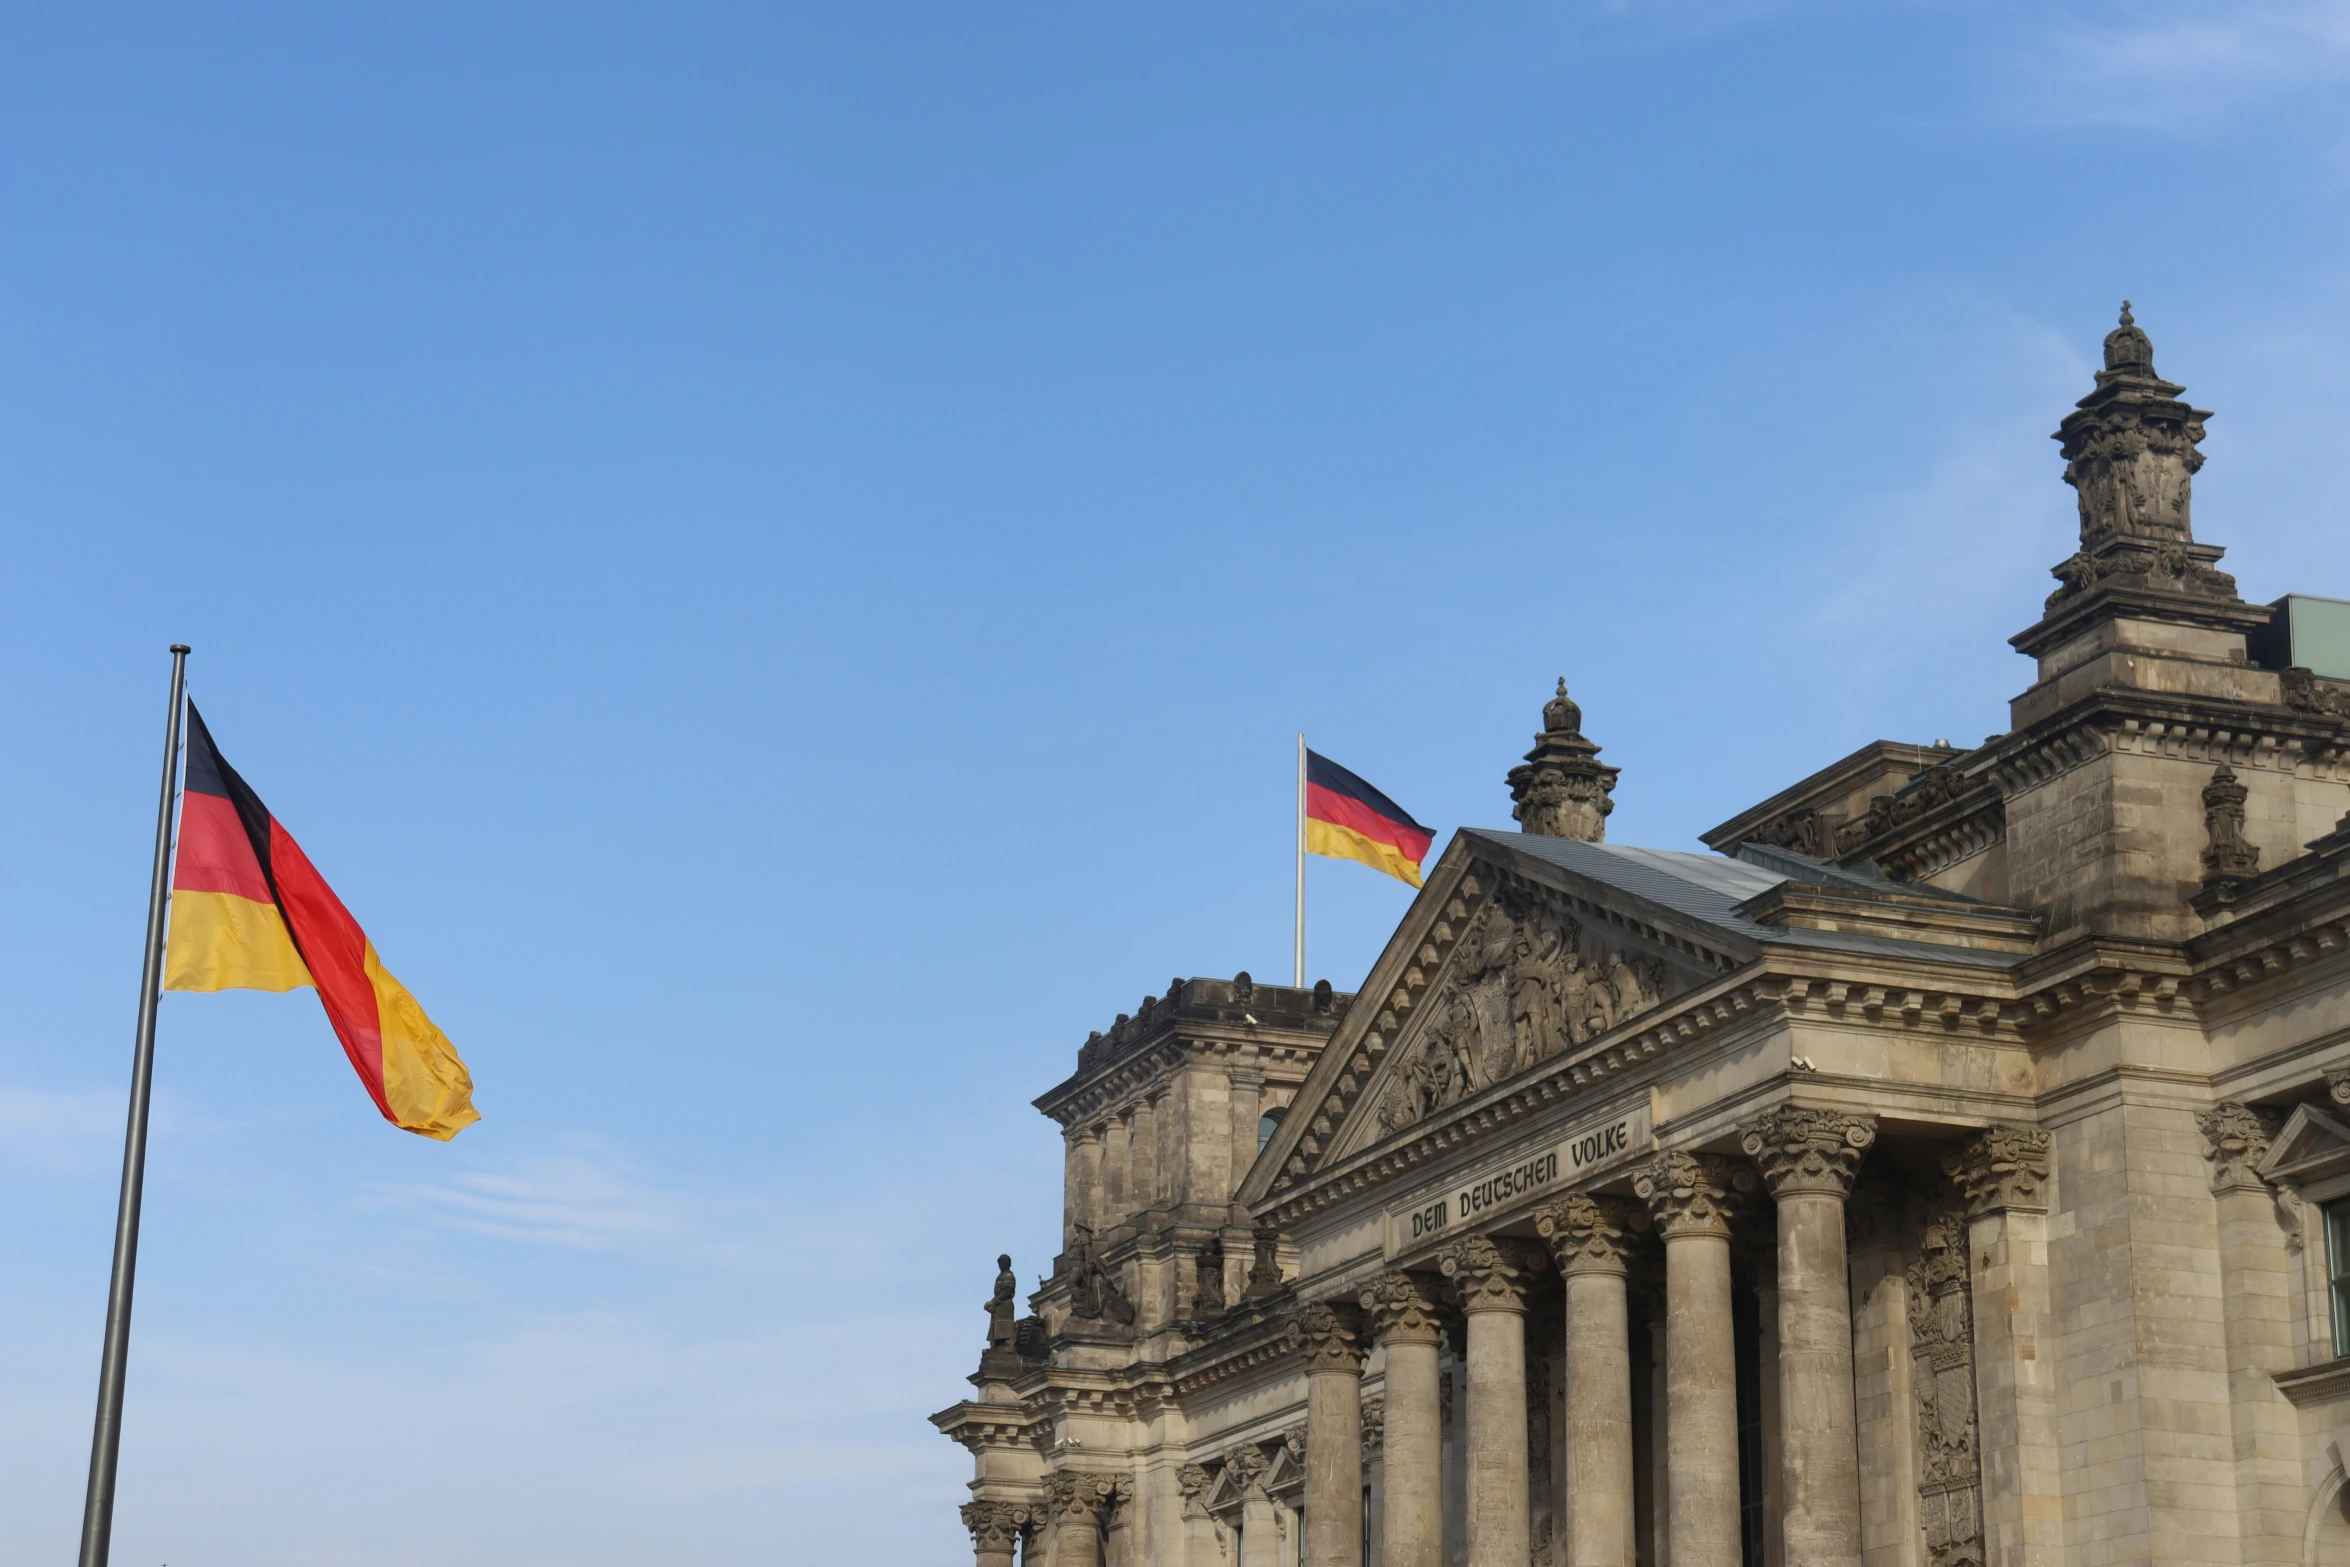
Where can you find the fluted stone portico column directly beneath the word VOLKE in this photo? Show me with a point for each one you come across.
(1590, 1237)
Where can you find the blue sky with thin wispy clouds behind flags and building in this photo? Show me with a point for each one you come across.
(777, 558)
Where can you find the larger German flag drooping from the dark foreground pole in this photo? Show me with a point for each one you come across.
(253, 913)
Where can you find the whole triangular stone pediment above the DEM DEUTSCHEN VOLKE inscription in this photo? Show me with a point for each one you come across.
(1508, 960)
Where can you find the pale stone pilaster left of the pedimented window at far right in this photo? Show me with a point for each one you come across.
(2260, 1303)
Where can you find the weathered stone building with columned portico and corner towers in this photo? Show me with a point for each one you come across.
(1952, 1169)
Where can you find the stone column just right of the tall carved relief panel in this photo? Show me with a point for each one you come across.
(2006, 1183)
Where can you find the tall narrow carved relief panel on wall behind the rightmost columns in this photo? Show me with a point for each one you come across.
(1942, 1361)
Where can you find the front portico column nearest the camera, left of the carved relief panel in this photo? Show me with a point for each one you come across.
(1808, 1162)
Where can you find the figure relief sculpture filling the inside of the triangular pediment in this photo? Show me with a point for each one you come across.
(1529, 983)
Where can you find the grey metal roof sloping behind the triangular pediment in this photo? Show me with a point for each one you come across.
(1712, 889)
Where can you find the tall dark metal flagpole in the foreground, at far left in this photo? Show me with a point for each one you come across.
(107, 1444)
